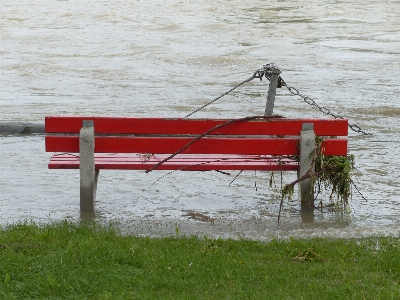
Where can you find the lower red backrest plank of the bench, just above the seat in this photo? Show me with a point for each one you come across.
(169, 145)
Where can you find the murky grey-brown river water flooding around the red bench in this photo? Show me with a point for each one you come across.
(167, 58)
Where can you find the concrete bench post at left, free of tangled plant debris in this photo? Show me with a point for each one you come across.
(88, 174)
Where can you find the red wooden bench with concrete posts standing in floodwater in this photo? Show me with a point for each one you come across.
(118, 143)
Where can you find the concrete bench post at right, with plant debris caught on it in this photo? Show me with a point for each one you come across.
(307, 152)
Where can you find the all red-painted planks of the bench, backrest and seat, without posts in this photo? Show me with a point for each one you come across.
(220, 151)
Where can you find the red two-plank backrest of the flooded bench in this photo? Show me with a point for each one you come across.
(269, 136)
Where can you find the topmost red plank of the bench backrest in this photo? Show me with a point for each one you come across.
(269, 126)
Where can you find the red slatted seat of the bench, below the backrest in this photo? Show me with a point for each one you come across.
(188, 163)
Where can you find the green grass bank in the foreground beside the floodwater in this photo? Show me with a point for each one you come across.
(68, 261)
